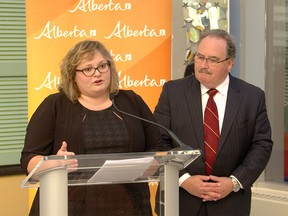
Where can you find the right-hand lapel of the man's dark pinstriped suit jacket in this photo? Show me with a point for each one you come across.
(232, 106)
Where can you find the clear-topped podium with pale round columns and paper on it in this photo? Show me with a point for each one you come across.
(53, 175)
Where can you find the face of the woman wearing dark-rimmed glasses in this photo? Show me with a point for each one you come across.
(96, 85)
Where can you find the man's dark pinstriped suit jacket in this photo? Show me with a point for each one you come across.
(245, 144)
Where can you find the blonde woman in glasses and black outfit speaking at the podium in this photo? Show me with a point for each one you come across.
(80, 119)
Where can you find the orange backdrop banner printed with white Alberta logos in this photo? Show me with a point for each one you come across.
(137, 33)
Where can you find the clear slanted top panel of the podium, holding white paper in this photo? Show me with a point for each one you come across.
(111, 168)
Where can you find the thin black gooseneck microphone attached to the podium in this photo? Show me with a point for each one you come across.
(181, 146)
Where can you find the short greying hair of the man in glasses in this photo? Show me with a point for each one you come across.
(220, 33)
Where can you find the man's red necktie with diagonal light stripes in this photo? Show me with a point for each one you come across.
(211, 131)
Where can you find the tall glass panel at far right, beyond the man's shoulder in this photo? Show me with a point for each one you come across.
(276, 93)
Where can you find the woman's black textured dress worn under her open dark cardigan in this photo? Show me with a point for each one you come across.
(105, 132)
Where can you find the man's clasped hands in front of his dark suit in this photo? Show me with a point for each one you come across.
(208, 188)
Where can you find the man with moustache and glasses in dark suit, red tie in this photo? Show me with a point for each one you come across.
(241, 137)
